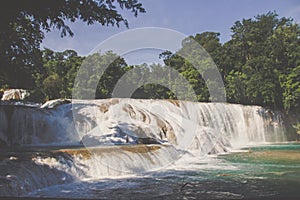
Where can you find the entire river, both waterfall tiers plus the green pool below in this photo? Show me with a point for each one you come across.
(133, 149)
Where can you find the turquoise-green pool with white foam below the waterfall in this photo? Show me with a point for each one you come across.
(268, 172)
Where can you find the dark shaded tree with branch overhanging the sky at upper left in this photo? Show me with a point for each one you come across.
(23, 23)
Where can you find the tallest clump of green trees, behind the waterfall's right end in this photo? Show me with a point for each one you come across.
(261, 53)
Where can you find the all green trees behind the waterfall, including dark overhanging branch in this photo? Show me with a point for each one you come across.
(260, 64)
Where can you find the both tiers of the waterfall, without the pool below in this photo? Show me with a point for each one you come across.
(127, 136)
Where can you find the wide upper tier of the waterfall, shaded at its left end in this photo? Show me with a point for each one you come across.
(120, 121)
